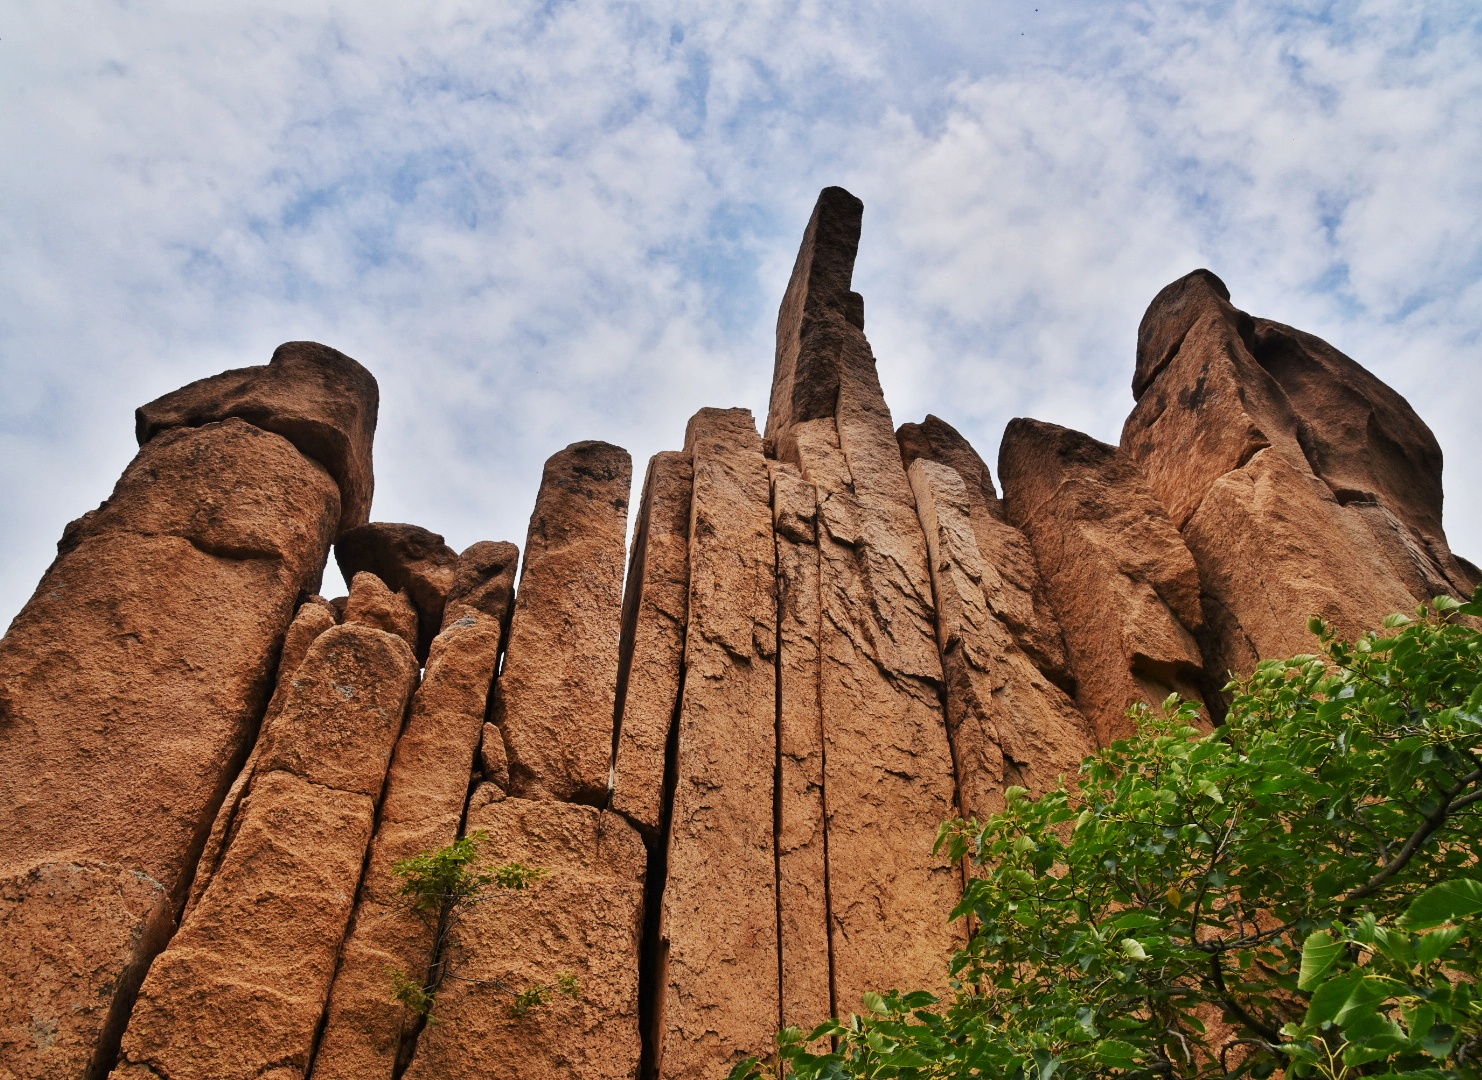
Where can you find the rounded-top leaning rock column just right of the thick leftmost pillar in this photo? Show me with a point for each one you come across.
(242, 986)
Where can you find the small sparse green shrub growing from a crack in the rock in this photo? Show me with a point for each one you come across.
(441, 887)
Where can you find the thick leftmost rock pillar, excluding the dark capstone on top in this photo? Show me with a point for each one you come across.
(131, 687)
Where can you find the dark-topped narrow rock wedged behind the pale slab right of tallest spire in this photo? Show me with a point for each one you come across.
(1011, 583)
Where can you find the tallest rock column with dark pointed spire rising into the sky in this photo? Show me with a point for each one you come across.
(888, 776)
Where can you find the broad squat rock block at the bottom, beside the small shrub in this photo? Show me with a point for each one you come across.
(582, 921)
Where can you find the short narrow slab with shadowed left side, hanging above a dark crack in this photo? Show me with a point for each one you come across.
(651, 666)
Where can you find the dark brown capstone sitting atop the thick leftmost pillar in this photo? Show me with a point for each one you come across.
(316, 398)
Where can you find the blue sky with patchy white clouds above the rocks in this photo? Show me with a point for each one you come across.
(542, 223)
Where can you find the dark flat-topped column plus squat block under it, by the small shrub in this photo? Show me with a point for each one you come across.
(555, 704)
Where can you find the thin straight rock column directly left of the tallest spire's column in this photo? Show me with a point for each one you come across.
(803, 873)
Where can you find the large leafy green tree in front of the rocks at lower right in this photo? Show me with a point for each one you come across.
(1295, 894)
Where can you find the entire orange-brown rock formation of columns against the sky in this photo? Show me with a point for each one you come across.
(834, 636)
